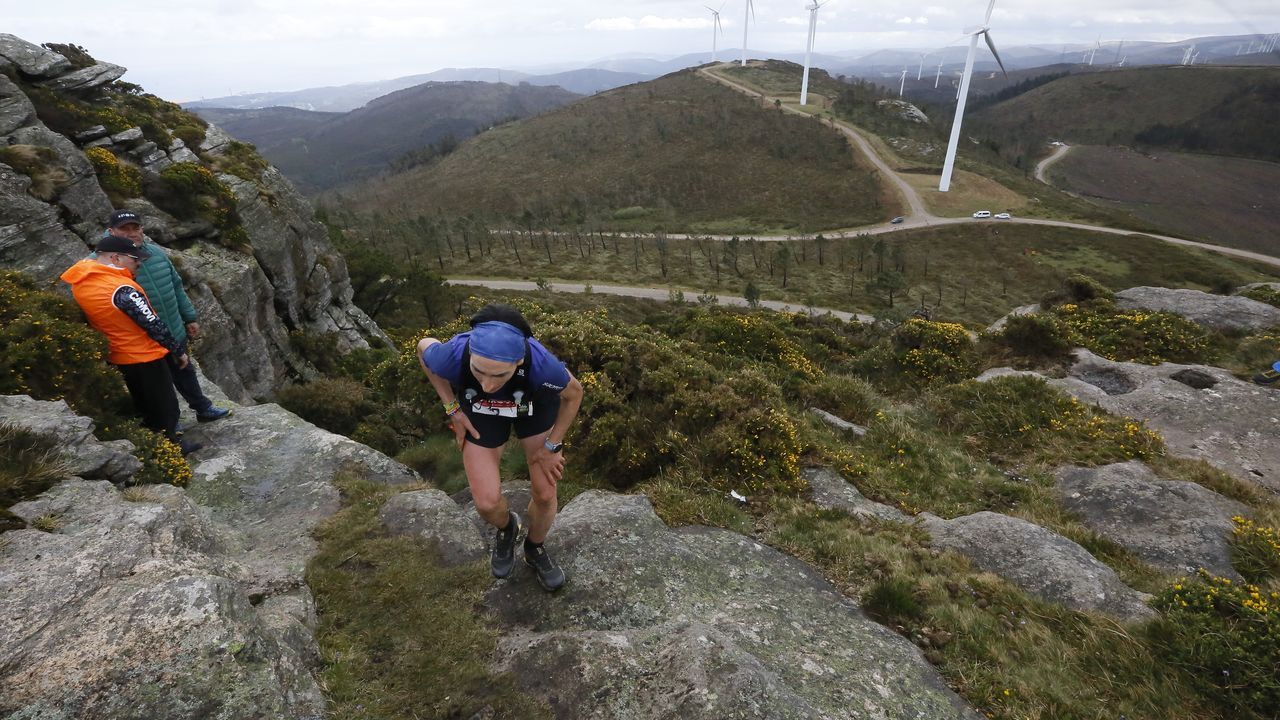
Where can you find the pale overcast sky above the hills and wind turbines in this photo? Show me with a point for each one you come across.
(185, 51)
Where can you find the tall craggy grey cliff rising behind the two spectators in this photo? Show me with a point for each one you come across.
(249, 303)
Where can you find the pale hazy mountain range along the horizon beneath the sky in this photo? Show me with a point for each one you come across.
(881, 66)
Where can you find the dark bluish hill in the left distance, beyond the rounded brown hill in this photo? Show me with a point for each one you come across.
(321, 151)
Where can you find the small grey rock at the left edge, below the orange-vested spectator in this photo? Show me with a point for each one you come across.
(81, 453)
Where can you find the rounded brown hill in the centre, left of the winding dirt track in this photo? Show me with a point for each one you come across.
(679, 153)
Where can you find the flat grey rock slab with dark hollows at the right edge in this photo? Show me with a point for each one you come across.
(1201, 412)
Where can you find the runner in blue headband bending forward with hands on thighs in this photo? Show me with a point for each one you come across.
(492, 380)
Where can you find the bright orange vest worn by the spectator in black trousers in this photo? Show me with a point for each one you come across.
(94, 285)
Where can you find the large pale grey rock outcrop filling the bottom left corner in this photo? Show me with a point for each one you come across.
(163, 603)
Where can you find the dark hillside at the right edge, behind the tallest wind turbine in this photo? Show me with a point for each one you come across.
(1219, 111)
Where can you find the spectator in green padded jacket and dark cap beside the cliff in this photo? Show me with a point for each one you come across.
(163, 285)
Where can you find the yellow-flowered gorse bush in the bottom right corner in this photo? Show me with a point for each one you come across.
(1227, 639)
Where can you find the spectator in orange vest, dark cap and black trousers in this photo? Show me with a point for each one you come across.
(139, 343)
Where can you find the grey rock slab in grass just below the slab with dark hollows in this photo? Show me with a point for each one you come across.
(1176, 526)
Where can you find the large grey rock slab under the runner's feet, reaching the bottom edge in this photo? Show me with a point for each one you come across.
(698, 625)
